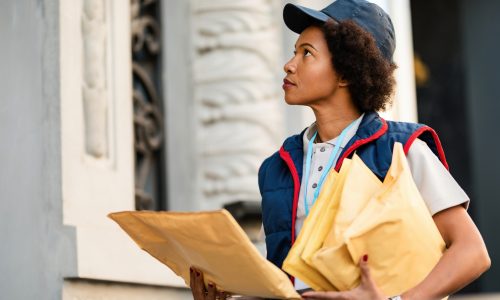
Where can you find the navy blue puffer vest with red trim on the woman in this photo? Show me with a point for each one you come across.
(280, 174)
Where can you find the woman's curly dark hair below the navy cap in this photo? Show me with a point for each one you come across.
(356, 58)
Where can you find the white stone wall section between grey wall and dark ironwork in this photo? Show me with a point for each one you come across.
(97, 141)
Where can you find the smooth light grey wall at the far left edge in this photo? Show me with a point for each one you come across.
(35, 251)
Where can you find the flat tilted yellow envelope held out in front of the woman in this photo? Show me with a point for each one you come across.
(212, 242)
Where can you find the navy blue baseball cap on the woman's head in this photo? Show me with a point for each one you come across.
(367, 15)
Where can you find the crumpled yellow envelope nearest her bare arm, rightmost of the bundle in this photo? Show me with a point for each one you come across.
(395, 229)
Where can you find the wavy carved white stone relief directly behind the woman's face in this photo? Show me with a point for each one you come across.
(238, 51)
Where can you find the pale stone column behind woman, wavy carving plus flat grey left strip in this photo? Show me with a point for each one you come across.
(230, 118)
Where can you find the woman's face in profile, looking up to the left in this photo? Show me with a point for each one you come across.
(310, 75)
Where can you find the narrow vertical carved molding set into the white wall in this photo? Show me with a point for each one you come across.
(94, 85)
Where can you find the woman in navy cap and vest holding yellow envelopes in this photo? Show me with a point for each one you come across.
(342, 69)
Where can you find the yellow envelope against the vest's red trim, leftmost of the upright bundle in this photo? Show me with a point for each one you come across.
(294, 263)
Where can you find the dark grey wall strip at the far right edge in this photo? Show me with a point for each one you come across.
(481, 27)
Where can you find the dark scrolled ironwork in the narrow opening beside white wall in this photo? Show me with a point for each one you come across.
(148, 116)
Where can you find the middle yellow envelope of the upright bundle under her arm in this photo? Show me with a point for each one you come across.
(359, 187)
